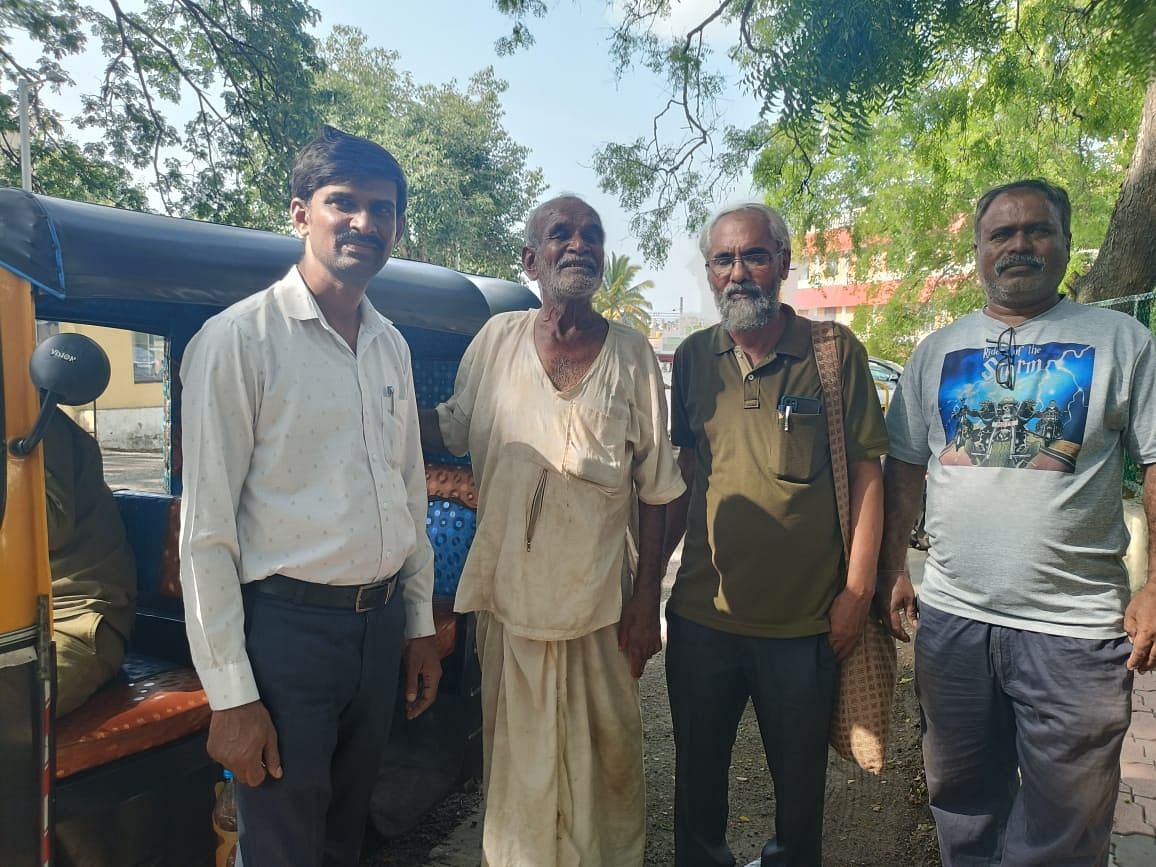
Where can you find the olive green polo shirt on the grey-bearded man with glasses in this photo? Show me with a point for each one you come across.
(764, 554)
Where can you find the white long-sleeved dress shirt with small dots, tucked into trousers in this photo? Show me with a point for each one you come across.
(301, 457)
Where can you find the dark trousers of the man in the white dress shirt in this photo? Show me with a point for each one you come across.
(329, 679)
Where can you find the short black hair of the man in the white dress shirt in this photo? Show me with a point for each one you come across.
(338, 158)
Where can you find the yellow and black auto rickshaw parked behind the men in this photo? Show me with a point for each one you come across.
(125, 780)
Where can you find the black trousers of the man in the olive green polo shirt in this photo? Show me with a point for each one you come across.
(792, 681)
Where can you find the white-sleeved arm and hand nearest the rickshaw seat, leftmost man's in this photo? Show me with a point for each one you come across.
(220, 396)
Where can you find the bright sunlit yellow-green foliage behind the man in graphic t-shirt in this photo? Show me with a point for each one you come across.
(908, 187)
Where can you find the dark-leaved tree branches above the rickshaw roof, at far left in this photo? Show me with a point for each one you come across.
(244, 69)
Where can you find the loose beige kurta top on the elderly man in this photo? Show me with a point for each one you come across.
(558, 472)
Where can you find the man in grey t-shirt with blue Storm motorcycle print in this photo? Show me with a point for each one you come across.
(1020, 416)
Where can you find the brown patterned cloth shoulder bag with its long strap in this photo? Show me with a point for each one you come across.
(862, 722)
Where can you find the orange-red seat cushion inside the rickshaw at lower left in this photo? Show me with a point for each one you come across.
(128, 718)
